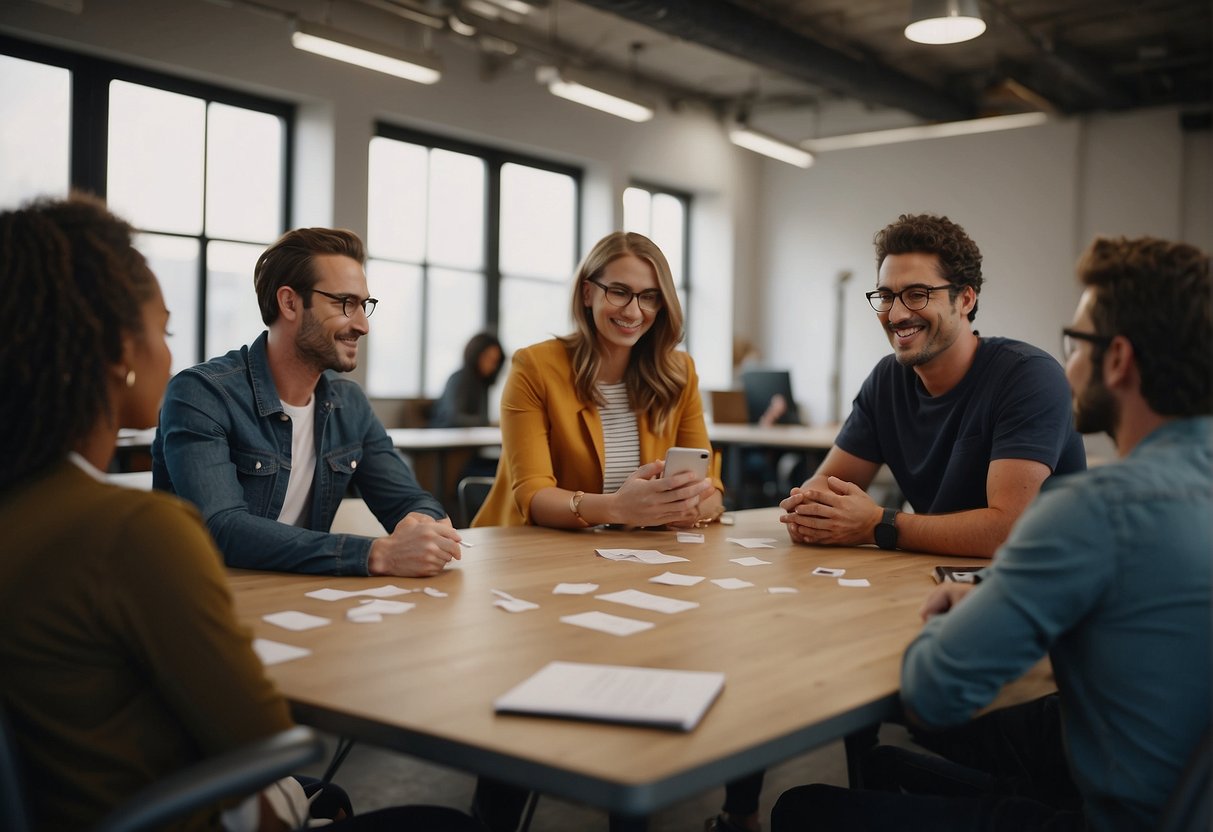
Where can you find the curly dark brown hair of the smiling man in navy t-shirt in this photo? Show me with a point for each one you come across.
(960, 260)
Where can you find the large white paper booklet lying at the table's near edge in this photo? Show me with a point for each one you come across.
(636, 696)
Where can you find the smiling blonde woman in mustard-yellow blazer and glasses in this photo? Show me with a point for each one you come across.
(556, 459)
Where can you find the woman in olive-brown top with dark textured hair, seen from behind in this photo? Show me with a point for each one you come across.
(123, 659)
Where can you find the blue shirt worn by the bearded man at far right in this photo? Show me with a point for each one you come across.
(1109, 572)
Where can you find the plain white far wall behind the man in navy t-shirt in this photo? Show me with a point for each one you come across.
(1030, 198)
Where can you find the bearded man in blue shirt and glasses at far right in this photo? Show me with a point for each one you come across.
(1108, 573)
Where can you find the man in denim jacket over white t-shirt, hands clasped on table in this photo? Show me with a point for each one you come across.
(266, 440)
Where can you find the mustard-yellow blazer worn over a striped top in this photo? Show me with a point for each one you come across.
(550, 438)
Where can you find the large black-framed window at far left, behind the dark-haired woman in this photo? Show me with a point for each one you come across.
(201, 172)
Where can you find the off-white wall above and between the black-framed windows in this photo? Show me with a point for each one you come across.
(339, 105)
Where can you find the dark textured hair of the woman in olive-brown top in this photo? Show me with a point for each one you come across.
(72, 287)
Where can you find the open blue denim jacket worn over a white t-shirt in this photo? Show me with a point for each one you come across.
(225, 445)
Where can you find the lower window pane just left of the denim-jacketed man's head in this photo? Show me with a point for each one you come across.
(234, 317)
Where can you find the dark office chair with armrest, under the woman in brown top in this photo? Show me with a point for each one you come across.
(241, 772)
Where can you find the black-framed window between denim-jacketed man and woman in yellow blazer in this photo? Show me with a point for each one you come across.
(462, 238)
